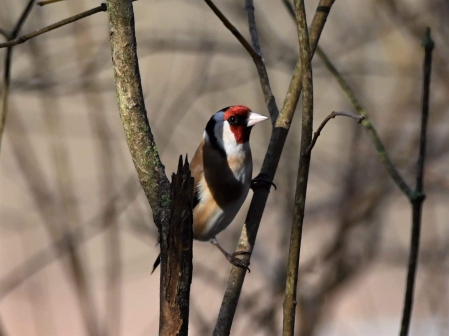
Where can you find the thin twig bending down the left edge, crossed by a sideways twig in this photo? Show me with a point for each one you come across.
(7, 72)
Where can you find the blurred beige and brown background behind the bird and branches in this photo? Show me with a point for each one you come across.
(77, 238)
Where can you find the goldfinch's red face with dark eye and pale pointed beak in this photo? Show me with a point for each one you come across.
(241, 120)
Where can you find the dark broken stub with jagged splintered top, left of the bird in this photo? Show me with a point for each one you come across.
(176, 257)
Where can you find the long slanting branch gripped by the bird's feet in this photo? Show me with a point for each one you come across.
(269, 166)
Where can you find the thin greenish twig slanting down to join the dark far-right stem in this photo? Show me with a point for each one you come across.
(367, 124)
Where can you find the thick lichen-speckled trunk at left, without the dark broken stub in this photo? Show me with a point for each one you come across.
(137, 129)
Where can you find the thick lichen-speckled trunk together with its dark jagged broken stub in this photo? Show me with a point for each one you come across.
(171, 205)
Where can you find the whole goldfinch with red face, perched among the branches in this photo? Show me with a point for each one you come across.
(222, 170)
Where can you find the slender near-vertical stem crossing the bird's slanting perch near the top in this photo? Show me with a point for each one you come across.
(303, 172)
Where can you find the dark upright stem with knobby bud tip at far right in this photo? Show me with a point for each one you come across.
(418, 195)
